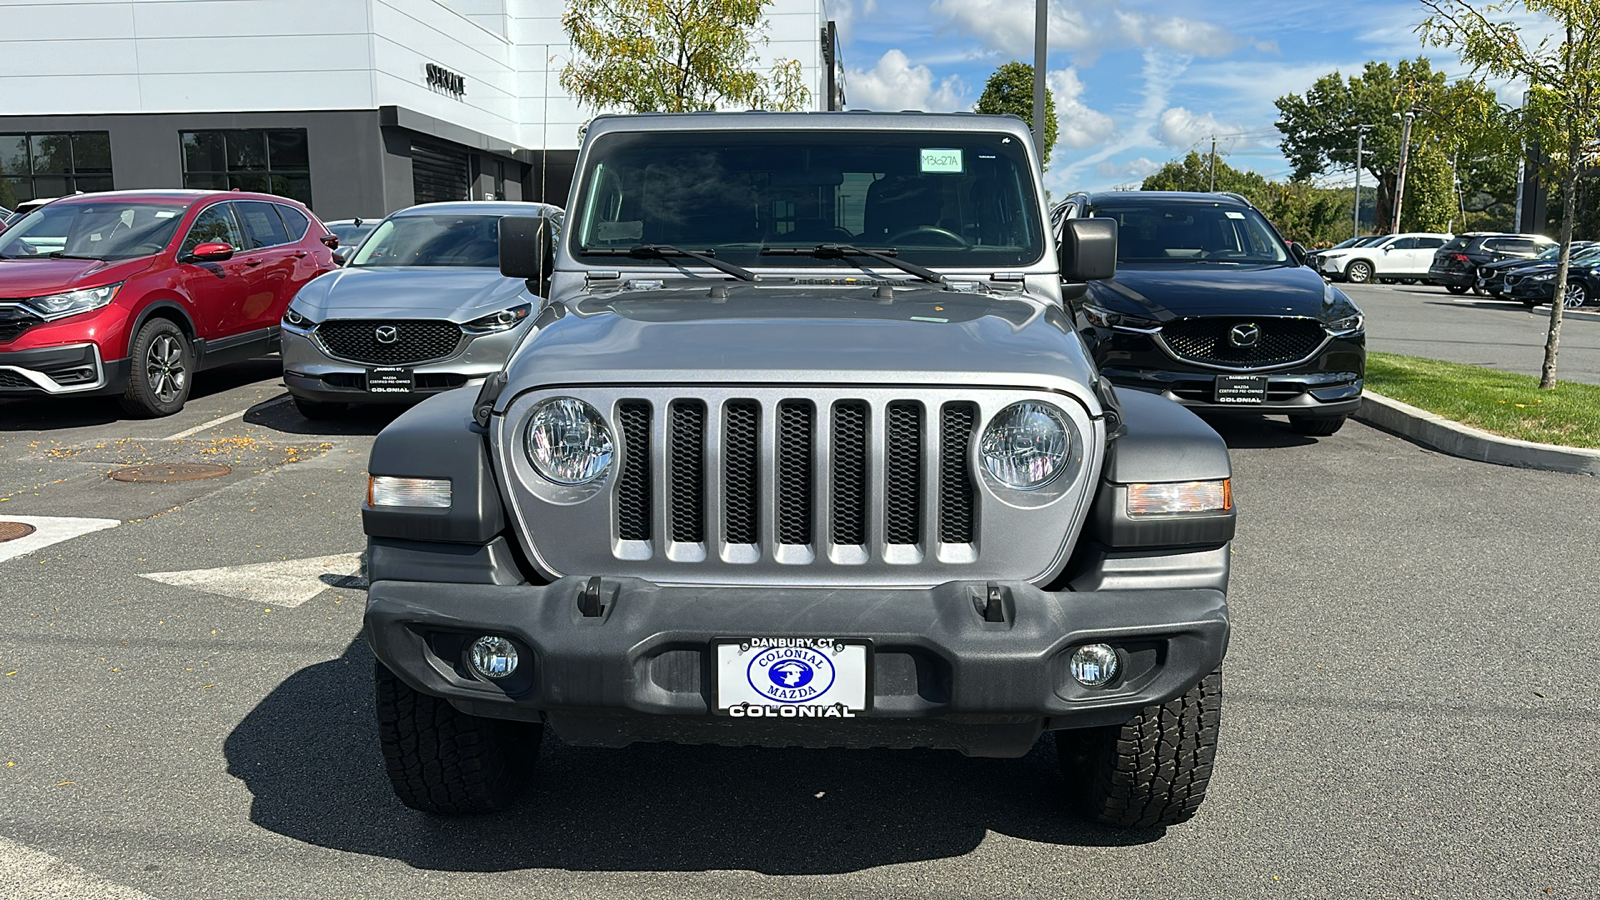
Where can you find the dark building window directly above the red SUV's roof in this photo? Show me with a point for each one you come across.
(268, 161)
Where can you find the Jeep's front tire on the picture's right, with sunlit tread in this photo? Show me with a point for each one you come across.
(1153, 771)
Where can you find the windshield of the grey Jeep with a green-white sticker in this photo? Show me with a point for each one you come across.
(937, 199)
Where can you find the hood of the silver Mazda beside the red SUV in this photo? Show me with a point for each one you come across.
(458, 294)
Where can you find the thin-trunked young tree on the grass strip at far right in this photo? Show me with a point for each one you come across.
(1564, 98)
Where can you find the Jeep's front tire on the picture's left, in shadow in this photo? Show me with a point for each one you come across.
(444, 761)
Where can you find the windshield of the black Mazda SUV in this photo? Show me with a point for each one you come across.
(1193, 233)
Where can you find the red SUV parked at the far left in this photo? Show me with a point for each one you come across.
(132, 292)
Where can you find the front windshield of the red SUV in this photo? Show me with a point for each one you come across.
(94, 231)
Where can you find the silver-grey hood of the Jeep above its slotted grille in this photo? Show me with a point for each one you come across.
(788, 334)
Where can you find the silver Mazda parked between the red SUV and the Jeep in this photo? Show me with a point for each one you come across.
(422, 308)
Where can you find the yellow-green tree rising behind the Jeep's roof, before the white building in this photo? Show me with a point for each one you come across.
(676, 57)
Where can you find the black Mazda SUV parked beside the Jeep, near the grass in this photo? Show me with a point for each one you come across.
(1214, 310)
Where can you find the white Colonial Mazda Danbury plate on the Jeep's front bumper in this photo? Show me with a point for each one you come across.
(793, 678)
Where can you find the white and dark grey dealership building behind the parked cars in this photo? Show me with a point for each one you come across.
(354, 106)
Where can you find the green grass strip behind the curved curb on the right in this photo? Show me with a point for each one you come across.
(1498, 403)
